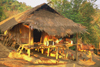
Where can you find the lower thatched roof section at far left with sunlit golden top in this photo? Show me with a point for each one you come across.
(10, 22)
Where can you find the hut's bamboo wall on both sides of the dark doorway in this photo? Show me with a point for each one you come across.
(21, 33)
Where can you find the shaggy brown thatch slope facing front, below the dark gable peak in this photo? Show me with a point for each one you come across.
(53, 23)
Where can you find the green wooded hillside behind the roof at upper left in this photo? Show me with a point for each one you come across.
(11, 7)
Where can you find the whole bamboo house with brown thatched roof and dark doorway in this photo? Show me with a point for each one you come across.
(39, 25)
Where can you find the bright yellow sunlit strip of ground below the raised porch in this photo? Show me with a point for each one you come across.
(40, 60)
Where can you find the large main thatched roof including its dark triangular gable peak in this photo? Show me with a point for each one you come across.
(46, 19)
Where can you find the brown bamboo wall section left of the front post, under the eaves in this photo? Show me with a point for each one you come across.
(21, 33)
